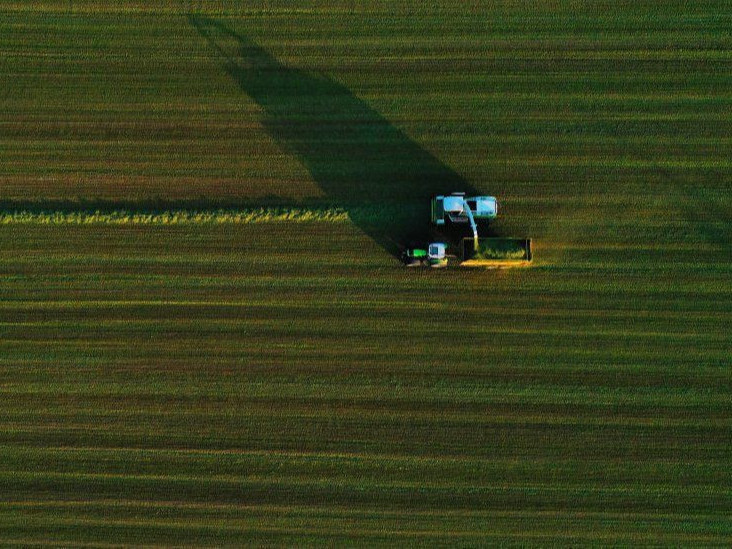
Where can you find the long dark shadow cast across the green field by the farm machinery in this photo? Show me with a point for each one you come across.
(352, 152)
